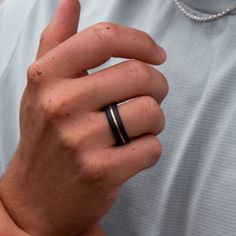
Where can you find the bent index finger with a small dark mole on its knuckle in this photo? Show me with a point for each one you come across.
(96, 45)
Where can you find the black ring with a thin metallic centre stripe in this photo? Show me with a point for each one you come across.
(116, 125)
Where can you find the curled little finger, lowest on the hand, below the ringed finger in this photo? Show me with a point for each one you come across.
(132, 158)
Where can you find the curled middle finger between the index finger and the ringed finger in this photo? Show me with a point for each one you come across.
(119, 83)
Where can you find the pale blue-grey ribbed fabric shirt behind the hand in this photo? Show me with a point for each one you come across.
(192, 190)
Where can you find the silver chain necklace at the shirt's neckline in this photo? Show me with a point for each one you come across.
(204, 18)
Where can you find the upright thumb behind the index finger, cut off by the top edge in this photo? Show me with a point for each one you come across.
(63, 25)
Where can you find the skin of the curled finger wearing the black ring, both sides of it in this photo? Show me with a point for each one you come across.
(142, 115)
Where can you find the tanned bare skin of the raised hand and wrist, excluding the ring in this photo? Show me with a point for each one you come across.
(66, 172)
